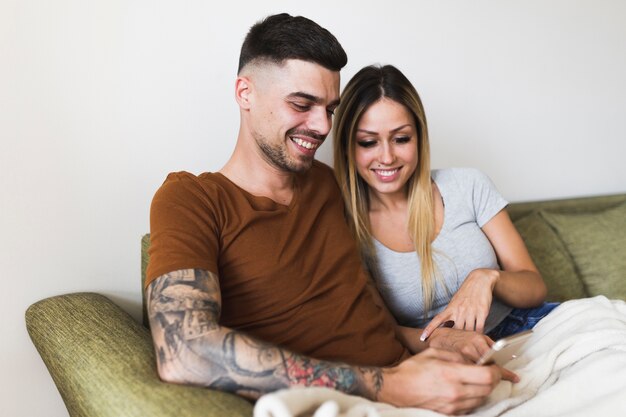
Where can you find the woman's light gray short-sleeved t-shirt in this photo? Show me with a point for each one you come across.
(470, 201)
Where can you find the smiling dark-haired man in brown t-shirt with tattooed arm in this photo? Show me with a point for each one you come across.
(254, 282)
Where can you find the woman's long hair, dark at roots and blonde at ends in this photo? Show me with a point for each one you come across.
(368, 86)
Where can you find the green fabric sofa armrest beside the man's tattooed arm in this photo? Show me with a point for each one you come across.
(102, 361)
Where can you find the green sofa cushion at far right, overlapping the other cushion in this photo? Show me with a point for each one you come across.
(597, 244)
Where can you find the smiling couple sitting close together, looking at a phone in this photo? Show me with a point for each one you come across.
(255, 282)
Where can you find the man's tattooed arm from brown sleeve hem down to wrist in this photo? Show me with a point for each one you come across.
(192, 348)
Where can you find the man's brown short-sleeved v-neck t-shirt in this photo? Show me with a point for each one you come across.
(289, 275)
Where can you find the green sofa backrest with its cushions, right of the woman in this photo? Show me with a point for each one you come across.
(578, 244)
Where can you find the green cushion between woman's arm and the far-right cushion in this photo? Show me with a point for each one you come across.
(551, 257)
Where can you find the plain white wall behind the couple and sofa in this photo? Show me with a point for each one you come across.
(100, 100)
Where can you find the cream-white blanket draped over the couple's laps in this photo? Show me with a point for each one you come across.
(575, 366)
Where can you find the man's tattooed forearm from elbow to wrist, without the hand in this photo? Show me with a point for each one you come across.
(234, 362)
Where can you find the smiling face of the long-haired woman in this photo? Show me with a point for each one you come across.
(386, 147)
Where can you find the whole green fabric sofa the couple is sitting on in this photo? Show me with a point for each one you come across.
(102, 360)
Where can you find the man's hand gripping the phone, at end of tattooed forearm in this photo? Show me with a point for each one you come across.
(441, 381)
